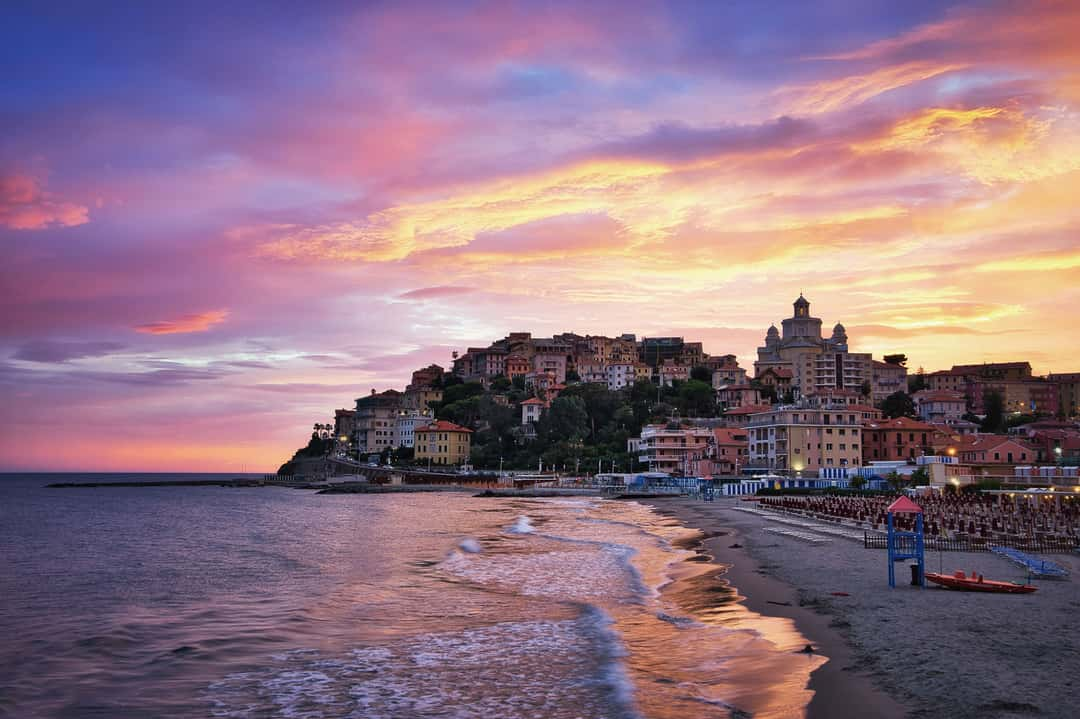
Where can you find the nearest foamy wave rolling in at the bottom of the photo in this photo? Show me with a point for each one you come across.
(552, 669)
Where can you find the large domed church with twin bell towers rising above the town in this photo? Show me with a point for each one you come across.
(817, 364)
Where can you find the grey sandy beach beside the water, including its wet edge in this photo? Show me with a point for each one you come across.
(907, 652)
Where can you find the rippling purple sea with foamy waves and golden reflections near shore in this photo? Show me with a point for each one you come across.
(214, 602)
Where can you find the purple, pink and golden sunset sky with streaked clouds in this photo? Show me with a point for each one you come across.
(220, 224)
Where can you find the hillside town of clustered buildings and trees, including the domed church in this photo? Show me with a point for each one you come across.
(811, 412)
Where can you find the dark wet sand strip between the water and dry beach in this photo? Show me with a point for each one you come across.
(836, 687)
